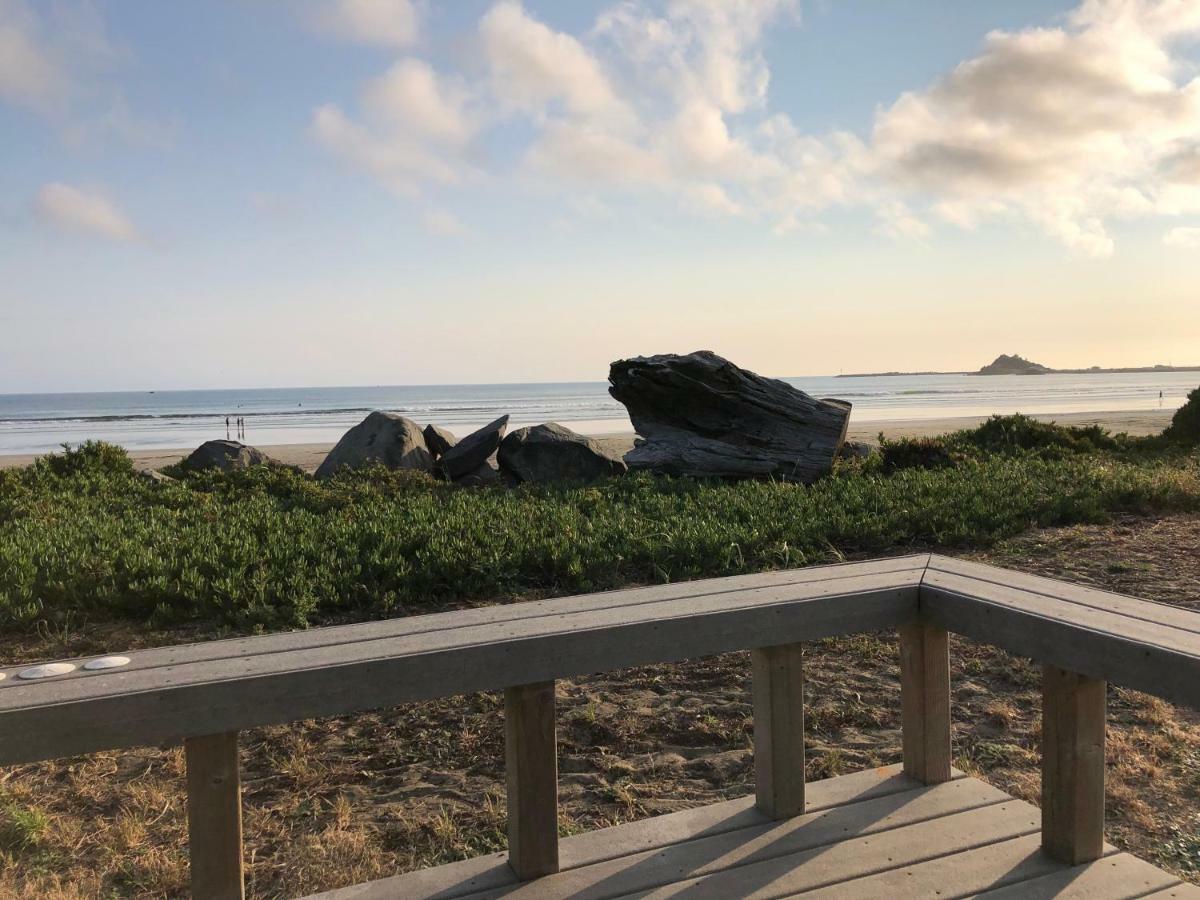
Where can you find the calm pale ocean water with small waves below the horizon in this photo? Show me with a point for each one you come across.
(37, 423)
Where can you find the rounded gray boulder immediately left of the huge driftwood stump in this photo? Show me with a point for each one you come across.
(551, 453)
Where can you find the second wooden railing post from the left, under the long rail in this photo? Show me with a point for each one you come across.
(532, 764)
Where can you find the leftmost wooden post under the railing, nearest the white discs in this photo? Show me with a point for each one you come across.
(214, 817)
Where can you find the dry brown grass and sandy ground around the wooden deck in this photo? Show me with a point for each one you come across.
(337, 802)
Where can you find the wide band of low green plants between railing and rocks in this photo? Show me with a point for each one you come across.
(82, 535)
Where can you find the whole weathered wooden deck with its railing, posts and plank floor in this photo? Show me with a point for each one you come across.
(928, 832)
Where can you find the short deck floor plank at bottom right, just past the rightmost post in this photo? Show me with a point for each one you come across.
(1118, 877)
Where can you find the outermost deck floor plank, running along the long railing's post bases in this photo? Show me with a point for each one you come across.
(493, 872)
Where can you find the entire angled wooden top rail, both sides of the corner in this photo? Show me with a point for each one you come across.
(173, 693)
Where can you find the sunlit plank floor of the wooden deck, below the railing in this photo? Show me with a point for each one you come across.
(873, 835)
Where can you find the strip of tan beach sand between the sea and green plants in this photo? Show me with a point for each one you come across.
(309, 457)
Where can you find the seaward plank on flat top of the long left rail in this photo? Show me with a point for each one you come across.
(237, 649)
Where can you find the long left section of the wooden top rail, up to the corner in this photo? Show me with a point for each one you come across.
(173, 693)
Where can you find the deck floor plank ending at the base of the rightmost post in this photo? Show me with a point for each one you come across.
(959, 873)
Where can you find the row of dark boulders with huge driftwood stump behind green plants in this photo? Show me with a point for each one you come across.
(695, 415)
